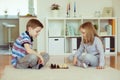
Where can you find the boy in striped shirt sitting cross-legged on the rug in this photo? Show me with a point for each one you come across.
(23, 56)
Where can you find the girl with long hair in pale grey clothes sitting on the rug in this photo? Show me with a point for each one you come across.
(92, 46)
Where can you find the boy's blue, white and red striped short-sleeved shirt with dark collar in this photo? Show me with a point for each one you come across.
(18, 50)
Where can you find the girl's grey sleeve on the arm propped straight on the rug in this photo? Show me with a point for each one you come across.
(101, 52)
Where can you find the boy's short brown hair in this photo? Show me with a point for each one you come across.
(33, 23)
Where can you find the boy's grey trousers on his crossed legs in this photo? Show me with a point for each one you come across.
(31, 61)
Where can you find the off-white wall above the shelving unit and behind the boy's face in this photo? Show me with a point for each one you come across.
(85, 8)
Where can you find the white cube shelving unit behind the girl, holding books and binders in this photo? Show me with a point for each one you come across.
(68, 30)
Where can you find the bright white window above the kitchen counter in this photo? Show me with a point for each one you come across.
(14, 6)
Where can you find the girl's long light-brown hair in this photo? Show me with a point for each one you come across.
(90, 32)
